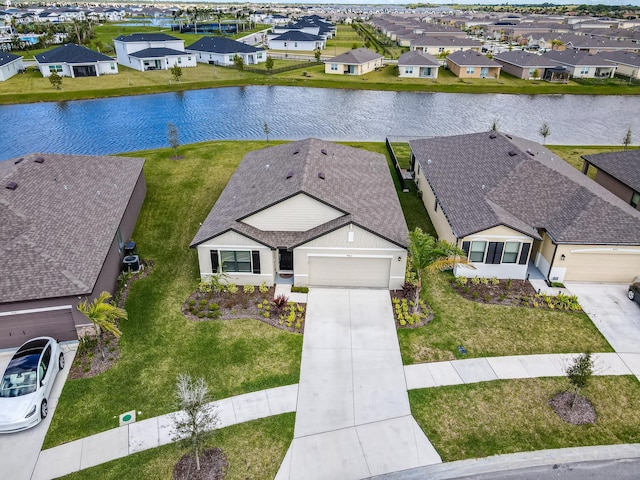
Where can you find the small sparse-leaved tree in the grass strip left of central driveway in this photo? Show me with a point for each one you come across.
(197, 420)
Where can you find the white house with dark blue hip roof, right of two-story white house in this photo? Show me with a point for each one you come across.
(222, 51)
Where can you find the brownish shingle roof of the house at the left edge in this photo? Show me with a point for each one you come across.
(60, 221)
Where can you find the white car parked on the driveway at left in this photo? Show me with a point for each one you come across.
(27, 382)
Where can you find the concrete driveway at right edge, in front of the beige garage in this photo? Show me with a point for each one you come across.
(617, 317)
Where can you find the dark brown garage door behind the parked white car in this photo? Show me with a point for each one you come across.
(17, 329)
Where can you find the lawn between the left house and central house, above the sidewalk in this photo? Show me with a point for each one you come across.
(158, 342)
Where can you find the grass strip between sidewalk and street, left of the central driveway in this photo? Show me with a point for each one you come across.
(254, 451)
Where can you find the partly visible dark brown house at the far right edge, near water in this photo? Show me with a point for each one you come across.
(618, 172)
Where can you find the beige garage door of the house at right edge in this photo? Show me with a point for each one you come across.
(603, 267)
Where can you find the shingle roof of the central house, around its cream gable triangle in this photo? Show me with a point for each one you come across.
(355, 181)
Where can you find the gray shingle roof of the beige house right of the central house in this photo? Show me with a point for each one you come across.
(479, 184)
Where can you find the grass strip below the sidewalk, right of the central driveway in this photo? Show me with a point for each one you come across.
(500, 417)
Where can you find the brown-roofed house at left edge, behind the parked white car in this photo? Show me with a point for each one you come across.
(65, 218)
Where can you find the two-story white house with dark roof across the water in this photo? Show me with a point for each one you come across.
(152, 51)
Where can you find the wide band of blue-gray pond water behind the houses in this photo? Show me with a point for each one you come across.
(123, 124)
